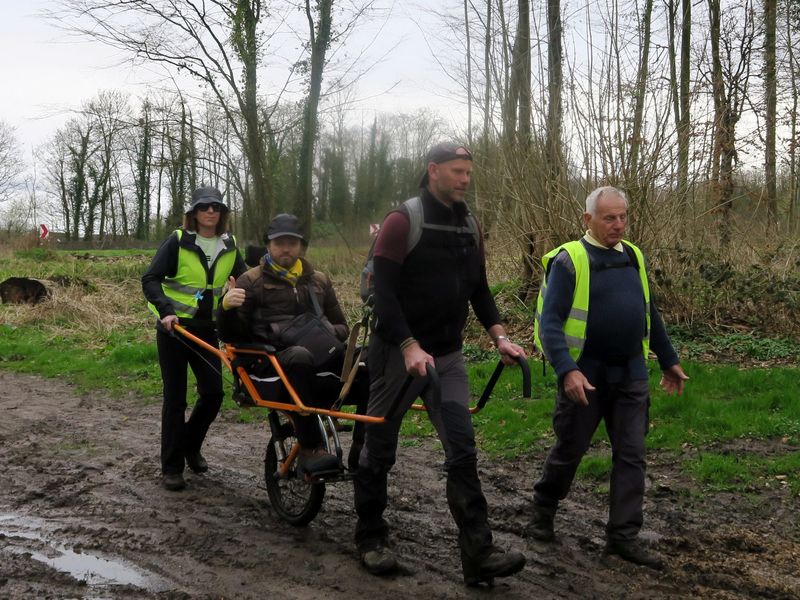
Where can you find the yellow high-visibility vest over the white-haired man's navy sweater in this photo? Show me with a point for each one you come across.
(575, 325)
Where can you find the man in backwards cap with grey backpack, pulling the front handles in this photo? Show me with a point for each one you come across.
(422, 300)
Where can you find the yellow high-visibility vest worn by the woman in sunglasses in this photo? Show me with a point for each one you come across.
(183, 290)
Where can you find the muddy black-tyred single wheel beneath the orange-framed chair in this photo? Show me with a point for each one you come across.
(294, 499)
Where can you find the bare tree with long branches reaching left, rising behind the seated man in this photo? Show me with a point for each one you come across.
(215, 41)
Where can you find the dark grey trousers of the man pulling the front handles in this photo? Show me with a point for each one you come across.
(453, 423)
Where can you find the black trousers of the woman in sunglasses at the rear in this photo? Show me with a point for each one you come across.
(179, 436)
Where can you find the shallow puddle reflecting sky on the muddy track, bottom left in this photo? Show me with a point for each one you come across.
(82, 566)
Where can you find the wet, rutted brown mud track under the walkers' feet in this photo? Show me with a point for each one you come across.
(82, 515)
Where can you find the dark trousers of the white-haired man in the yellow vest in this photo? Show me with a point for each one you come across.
(624, 408)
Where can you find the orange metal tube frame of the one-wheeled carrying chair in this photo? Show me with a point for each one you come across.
(231, 352)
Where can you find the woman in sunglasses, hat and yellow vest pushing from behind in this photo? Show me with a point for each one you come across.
(183, 284)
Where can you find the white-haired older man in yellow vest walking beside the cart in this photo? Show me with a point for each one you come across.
(596, 324)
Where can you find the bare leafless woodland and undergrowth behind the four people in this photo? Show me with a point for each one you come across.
(690, 107)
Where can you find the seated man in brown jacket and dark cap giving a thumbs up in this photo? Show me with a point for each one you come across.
(260, 307)
